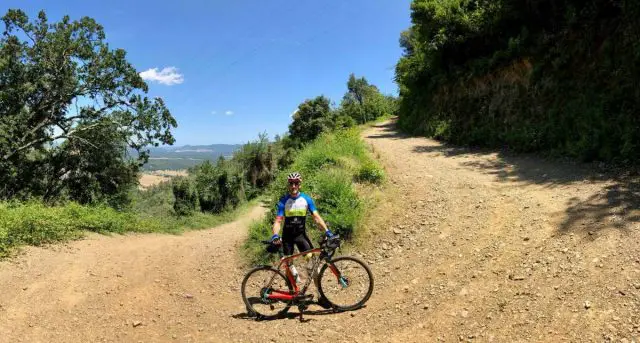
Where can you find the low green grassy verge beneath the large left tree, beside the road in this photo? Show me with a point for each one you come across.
(34, 223)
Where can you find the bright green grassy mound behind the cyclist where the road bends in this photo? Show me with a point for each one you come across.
(333, 168)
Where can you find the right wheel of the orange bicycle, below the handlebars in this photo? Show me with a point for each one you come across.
(346, 282)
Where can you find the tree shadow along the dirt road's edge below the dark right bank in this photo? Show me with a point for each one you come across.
(616, 204)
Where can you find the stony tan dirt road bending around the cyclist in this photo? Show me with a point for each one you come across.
(471, 246)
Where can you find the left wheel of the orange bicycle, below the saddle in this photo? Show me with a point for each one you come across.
(258, 284)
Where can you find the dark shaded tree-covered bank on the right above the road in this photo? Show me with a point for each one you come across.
(544, 75)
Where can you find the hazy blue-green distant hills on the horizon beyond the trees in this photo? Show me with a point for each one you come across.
(183, 157)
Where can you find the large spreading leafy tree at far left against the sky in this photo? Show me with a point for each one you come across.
(63, 94)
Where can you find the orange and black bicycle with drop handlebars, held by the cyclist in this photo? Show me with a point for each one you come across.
(281, 289)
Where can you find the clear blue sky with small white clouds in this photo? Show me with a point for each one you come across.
(231, 69)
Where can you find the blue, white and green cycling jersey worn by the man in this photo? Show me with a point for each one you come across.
(294, 210)
